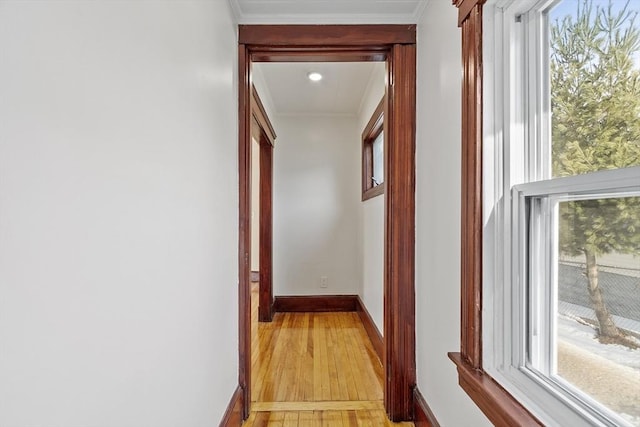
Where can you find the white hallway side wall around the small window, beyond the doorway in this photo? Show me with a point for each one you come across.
(372, 216)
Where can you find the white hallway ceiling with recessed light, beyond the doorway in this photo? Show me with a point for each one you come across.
(289, 91)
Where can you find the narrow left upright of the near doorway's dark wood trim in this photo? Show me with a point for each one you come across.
(244, 228)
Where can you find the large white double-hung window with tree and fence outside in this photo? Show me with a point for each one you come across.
(561, 267)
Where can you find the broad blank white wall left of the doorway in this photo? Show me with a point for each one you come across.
(118, 213)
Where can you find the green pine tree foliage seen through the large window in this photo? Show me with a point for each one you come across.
(596, 122)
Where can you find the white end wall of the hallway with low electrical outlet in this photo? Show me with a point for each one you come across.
(316, 203)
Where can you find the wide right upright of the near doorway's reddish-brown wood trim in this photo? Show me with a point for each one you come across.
(399, 253)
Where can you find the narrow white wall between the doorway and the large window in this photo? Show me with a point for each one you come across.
(438, 216)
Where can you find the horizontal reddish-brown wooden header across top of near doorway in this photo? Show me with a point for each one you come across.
(326, 35)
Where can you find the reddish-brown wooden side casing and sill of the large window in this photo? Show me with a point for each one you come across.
(500, 407)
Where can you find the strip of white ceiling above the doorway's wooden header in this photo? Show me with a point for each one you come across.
(327, 11)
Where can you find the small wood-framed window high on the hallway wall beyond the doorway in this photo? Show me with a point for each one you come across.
(373, 155)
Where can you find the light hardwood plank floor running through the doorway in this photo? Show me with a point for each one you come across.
(314, 369)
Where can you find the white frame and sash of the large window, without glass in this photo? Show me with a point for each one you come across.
(516, 168)
